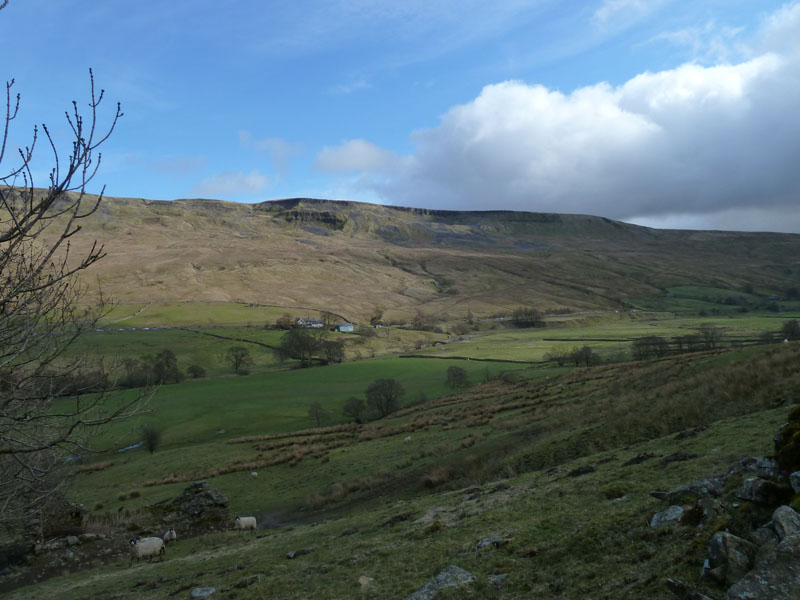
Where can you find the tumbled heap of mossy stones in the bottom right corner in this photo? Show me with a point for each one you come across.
(754, 552)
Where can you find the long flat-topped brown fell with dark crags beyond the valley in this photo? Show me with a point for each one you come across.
(355, 259)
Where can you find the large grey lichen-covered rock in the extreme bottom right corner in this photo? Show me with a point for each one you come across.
(776, 575)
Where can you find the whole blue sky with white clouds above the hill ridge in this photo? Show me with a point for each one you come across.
(664, 113)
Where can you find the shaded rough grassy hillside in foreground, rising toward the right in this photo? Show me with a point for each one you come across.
(568, 539)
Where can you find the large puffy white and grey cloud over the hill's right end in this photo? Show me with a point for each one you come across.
(690, 140)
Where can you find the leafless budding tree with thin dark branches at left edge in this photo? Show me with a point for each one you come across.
(45, 412)
